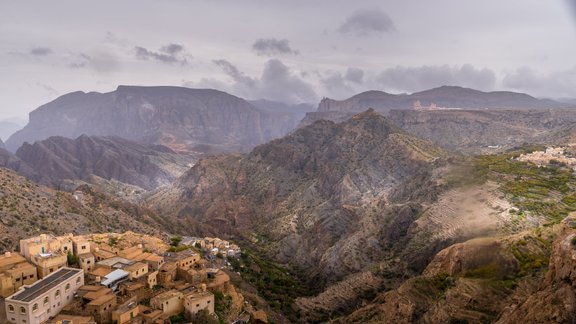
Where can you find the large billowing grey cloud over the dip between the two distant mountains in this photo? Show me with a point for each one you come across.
(278, 82)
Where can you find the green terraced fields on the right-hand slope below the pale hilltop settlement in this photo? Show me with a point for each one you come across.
(547, 191)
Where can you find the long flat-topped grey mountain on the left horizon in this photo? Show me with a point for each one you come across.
(186, 120)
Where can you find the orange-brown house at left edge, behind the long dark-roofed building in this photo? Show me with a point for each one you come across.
(15, 272)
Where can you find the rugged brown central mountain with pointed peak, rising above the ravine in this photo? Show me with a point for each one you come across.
(323, 198)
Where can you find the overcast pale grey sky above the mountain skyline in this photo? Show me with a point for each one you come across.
(291, 51)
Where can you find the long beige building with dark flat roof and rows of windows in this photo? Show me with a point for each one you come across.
(45, 298)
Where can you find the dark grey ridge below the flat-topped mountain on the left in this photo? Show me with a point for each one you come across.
(56, 159)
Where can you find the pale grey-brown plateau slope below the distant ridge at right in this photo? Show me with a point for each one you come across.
(482, 131)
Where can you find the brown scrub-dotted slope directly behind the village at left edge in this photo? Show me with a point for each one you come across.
(28, 209)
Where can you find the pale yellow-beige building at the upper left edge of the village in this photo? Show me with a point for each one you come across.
(45, 244)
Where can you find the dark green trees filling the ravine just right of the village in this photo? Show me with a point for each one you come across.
(276, 284)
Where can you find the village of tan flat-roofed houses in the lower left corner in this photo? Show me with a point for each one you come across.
(70, 279)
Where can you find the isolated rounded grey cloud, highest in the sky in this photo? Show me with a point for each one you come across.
(367, 22)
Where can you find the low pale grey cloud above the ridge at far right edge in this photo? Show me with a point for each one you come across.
(559, 84)
